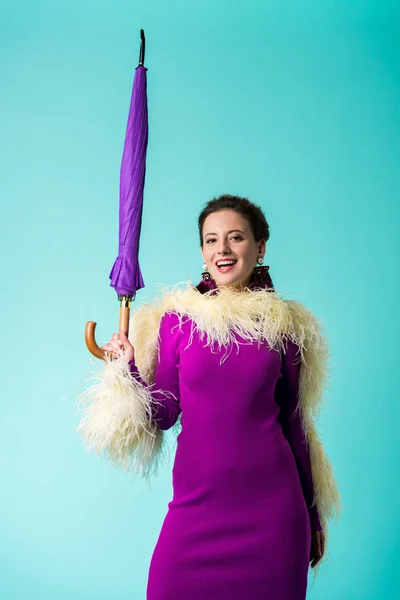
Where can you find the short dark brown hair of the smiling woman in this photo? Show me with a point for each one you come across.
(251, 212)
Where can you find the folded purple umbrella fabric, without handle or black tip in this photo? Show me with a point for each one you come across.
(126, 277)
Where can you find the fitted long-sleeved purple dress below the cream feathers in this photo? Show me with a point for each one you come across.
(239, 523)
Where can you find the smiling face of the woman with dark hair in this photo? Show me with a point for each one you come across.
(227, 235)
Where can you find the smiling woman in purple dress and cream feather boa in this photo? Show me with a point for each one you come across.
(243, 370)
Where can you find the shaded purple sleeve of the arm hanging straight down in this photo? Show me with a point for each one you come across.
(287, 397)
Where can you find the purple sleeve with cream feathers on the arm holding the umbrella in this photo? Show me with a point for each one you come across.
(125, 412)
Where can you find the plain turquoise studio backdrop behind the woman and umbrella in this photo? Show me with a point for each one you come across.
(293, 104)
